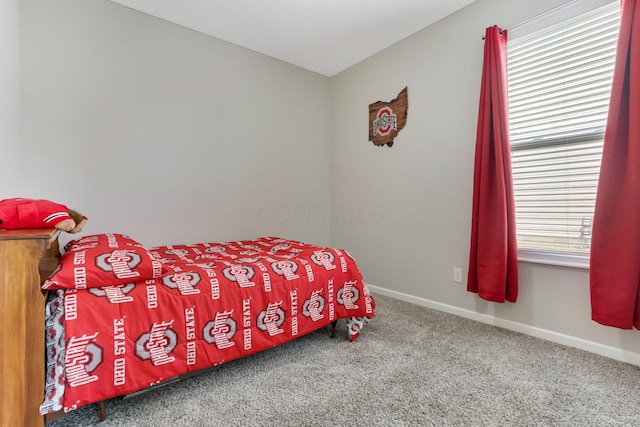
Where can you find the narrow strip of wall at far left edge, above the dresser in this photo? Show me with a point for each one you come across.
(9, 98)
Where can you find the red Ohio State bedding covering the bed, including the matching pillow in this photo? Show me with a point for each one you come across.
(171, 310)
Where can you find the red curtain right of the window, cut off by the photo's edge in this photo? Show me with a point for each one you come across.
(615, 244)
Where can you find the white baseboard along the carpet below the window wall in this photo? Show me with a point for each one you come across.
(590, 346)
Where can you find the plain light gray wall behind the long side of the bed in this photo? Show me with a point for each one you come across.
(166, 134)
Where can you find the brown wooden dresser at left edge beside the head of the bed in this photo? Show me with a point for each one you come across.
(27, 257)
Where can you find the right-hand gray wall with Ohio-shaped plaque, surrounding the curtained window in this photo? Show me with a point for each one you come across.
(405, 212)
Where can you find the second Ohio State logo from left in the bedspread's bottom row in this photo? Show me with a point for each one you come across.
(157, 344)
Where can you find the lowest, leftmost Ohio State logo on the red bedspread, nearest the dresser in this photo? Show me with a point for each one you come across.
(83, 356)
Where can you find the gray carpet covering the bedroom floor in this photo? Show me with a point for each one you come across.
(412, 366)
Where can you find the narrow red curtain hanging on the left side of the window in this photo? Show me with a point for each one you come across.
(493, 261)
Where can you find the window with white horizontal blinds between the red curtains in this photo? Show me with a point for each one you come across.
(559, 83)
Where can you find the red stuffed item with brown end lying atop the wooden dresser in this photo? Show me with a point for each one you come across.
(30, 213)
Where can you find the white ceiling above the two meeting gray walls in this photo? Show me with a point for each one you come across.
(325, 36)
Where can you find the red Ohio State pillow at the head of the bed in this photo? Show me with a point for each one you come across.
(103, 260)
